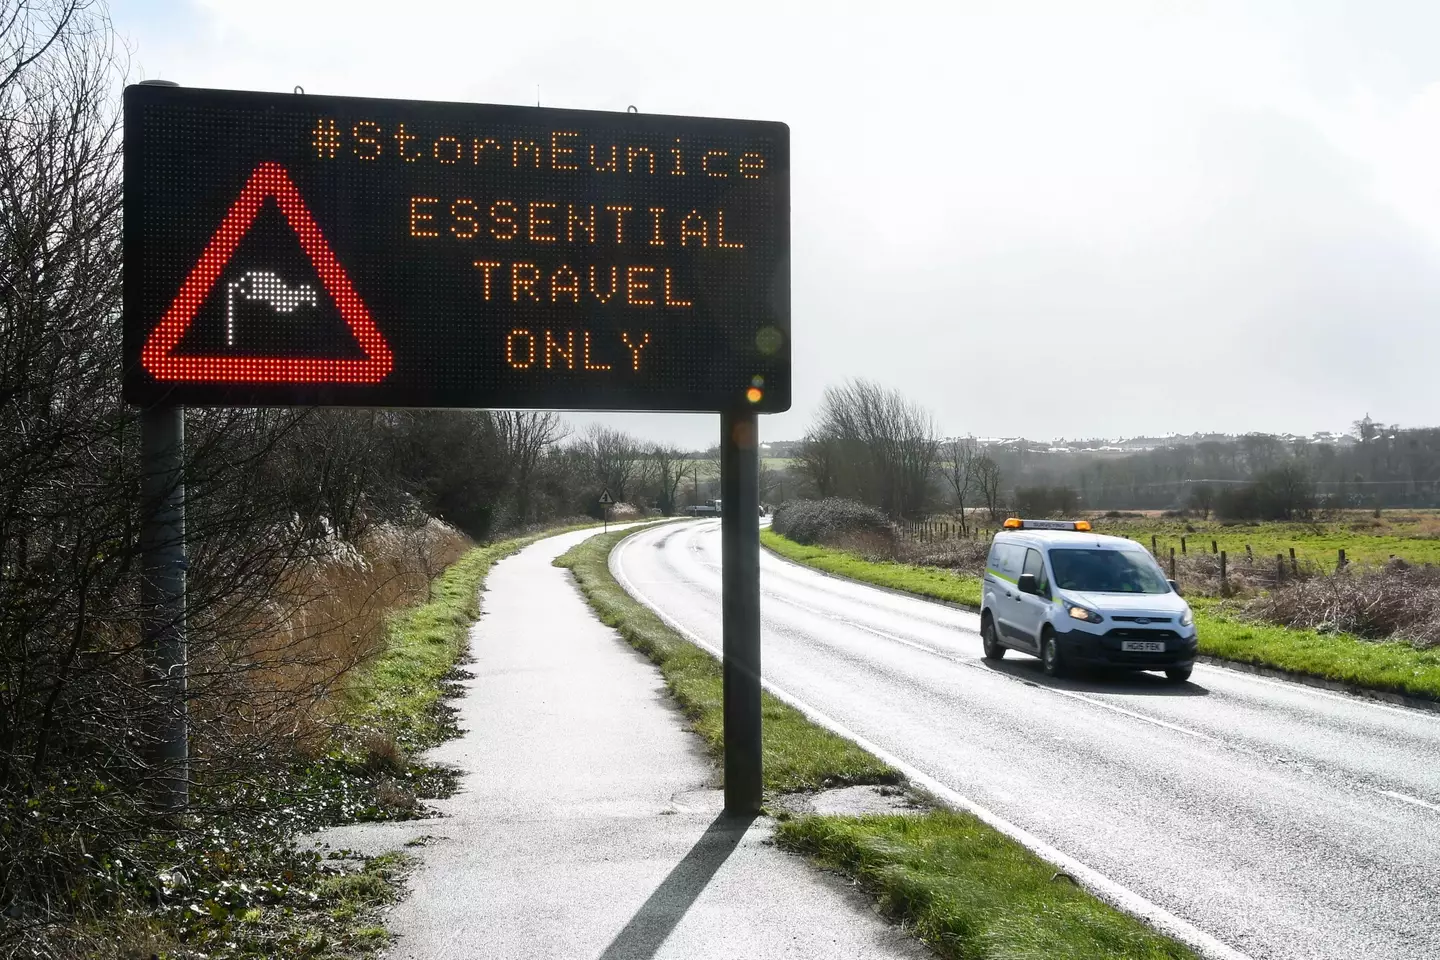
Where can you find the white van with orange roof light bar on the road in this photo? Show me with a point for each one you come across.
(1059, 592)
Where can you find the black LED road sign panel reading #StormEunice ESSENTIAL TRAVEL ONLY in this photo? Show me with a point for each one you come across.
(290, 250)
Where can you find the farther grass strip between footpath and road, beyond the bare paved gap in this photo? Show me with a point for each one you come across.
(797, 753)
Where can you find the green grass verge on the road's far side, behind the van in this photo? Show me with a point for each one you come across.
(1380, 666)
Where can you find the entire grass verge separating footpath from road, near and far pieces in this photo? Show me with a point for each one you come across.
(957, 884)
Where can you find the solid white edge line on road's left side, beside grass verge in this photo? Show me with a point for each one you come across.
(1092, 880)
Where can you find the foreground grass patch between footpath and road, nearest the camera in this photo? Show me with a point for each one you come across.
(970, 892)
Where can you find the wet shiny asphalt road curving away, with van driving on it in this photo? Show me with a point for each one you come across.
(1284, 821)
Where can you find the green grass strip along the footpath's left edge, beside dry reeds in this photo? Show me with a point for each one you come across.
(400, 692)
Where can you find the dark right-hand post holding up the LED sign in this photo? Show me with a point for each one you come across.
(741, 608)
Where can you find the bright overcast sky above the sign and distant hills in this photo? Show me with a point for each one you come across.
(1148, 218)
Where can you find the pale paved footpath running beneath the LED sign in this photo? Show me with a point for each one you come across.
(588, 823)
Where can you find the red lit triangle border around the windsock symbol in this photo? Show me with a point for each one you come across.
(158, 356)
